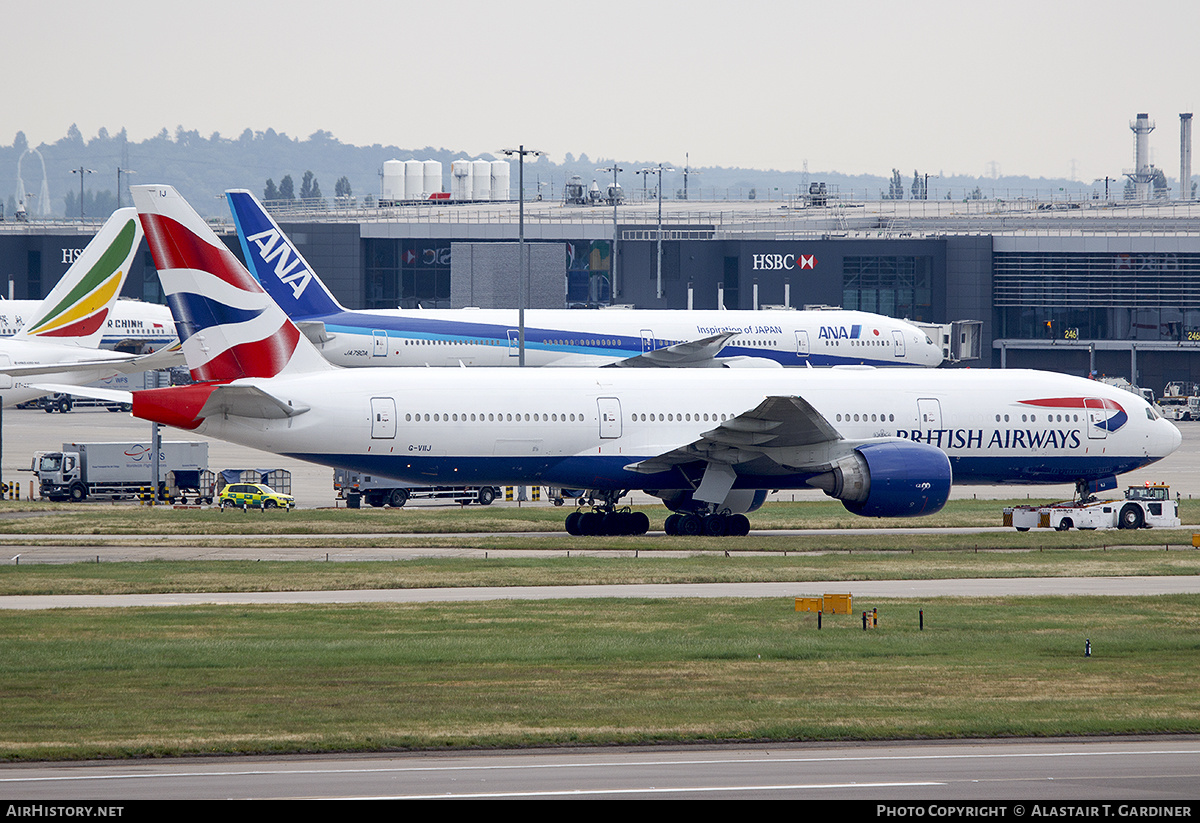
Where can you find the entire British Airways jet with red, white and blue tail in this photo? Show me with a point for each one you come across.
(887, 443)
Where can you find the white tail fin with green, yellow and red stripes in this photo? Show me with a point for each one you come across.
(77, 308)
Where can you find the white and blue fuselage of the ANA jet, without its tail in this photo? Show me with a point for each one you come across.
(596, 338)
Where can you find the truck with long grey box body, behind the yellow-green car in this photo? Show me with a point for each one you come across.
(121, 470)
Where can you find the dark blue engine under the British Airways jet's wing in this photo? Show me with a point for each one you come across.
(891, 479)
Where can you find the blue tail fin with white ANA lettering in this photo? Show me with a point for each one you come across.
(277, 263)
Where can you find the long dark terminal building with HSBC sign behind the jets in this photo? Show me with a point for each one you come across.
(1072, 287)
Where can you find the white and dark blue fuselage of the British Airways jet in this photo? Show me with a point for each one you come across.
(584, 428)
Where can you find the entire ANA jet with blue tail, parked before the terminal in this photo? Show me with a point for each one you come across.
(565, 338)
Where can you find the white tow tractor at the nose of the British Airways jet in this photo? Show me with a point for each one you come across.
(1148, 507)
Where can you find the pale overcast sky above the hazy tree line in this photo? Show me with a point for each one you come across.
(1040, 88)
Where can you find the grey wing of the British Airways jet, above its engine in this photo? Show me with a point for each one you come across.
(778, 429)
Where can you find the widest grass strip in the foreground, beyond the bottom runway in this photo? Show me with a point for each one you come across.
(359, 678)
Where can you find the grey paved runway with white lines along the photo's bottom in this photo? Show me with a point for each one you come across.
(1154, 773)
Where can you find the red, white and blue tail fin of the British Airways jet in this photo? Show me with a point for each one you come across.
(229, 326)
